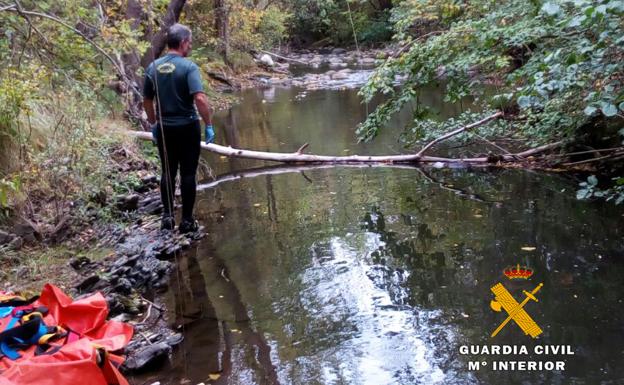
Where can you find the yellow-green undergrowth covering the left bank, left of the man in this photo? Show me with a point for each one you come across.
(54, 97)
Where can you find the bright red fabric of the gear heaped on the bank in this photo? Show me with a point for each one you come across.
(75, 362)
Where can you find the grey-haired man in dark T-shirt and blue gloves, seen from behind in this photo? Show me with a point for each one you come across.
(172, 90)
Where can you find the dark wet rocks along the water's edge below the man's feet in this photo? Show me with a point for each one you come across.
(131, 279)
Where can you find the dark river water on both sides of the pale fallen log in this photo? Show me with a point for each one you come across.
(377, 275)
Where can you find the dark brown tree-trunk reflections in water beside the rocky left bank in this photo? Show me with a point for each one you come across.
(218, 332)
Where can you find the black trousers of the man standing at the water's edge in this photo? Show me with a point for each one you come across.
(181, 149)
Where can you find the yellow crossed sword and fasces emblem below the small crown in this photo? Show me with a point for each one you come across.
(504, 300)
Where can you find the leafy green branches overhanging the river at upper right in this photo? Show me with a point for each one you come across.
(560, 61)
